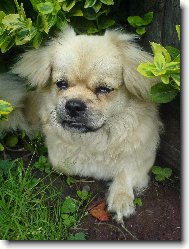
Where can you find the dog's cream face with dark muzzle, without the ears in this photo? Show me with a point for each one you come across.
(89, 85)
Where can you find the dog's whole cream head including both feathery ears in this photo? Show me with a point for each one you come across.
(87, 79)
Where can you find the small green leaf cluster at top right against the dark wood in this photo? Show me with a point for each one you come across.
(140, 23)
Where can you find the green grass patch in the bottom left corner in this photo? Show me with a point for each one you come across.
(31, 209)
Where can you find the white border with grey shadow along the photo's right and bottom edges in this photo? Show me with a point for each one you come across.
(185, 167)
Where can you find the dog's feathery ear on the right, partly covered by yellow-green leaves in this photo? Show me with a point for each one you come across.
(131, 56)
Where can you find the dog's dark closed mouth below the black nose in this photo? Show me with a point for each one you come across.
(78, 126)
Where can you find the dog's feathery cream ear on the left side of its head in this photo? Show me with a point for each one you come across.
(36, 65)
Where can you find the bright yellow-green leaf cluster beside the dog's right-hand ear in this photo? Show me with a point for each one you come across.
(166, 66)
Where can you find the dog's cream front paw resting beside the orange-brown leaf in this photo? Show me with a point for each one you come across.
(122, 204)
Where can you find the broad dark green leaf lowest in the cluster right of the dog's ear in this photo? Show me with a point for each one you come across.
(162, 93)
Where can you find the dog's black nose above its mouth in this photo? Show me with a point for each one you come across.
(75, 107)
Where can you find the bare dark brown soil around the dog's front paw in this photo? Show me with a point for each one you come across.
(159, 217)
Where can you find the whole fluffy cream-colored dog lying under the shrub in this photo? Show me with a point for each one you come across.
(92, 107)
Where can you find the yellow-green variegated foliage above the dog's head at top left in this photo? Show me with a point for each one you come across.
(17, 28)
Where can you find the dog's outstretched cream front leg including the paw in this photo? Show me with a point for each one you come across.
(121, 196)
